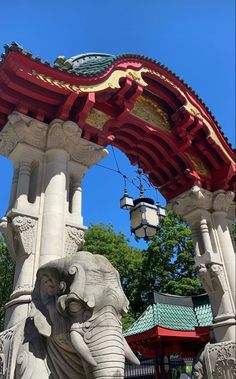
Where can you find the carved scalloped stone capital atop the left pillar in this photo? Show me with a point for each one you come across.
(59, 134)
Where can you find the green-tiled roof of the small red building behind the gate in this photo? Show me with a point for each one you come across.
(180, 313)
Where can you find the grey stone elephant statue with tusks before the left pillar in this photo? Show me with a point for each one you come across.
(74, 330)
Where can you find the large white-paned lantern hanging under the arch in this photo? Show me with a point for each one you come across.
(145, 218)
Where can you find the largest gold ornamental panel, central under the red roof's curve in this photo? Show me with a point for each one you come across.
(149, 111)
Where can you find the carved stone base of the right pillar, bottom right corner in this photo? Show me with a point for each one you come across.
(216, 361)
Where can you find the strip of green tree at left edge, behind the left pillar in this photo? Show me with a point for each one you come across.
(6, 278)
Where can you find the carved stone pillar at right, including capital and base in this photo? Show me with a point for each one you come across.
(207, 215)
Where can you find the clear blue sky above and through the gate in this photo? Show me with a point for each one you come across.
(195, 39)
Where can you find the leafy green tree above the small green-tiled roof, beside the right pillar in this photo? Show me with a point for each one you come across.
(169, 259)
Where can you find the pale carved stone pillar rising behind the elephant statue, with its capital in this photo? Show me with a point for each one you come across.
(38, 226)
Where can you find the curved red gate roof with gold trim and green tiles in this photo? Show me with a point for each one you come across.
(129, 101)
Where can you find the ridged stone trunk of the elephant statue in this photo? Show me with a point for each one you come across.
(106, 345)
